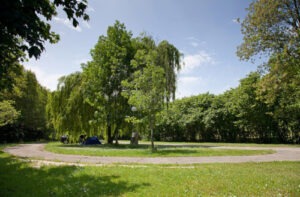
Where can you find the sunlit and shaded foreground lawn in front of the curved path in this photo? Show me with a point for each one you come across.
(18, 178)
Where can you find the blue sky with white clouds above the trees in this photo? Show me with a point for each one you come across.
(205, 31)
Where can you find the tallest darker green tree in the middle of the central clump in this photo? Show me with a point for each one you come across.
(109, 66)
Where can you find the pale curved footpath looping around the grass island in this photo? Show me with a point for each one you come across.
(37, 151)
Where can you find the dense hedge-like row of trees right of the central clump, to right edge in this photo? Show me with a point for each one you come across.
(266, 105)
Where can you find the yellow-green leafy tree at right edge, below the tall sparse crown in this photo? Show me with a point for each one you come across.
(279, 89)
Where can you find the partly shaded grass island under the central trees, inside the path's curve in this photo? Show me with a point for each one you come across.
(163, 150)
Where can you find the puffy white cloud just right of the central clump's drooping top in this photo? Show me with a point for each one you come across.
(194, 61)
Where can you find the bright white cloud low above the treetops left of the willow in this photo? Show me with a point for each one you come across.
(45, 79)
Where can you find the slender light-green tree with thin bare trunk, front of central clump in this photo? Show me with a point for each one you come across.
(146, 89)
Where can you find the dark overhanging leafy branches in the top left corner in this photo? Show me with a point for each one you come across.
(24, 28)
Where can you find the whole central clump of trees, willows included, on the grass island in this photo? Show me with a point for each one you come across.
(124, 72)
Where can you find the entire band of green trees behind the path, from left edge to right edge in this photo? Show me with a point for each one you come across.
(128, 73)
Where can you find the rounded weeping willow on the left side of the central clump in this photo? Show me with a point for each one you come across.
(67, 111)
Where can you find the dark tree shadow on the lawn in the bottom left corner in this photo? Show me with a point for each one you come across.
(19, 179)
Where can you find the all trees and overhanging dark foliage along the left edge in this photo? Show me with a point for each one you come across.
(24, 29)
